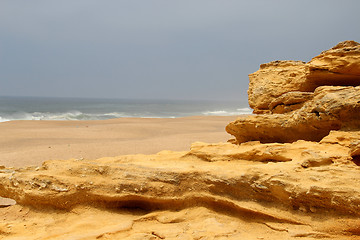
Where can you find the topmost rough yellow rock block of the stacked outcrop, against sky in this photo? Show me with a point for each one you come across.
(339, 66)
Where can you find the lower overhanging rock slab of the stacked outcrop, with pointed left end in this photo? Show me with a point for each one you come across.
(331, 108)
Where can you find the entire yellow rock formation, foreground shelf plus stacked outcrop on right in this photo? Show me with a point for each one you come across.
(292, 172)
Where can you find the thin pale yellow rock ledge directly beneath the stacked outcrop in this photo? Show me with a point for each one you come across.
(307, 154)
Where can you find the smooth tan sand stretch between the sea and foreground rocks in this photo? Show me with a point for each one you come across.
(25, 143)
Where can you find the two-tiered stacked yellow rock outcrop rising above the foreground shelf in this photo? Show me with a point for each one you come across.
(296, 100)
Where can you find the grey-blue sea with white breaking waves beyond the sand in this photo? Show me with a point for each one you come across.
(39, 108)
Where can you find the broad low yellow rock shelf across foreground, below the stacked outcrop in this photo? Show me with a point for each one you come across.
(269, 188)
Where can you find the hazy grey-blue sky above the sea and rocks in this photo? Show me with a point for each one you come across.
(178, 49)
